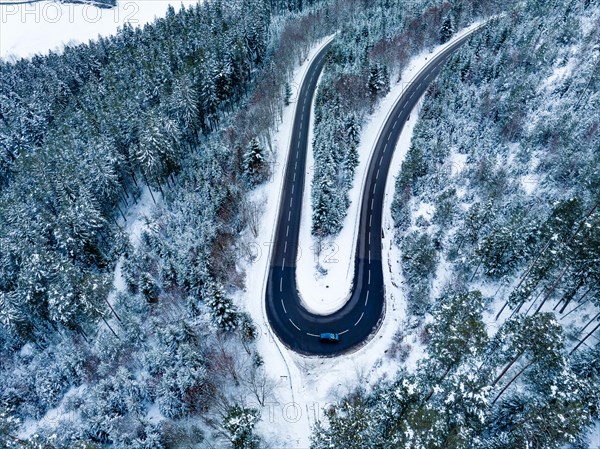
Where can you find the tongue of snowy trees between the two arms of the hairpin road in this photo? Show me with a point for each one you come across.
(371, 51)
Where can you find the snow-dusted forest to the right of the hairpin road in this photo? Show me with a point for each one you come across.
(497, 219)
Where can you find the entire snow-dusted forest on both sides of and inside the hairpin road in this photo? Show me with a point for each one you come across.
(122, 332)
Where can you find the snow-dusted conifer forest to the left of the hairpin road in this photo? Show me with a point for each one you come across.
(102, 334)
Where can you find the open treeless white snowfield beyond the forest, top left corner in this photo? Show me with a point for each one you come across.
(46, 26)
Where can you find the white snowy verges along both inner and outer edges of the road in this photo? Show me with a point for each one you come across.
(305, 385)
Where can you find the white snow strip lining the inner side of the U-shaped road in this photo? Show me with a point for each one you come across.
(325, 293)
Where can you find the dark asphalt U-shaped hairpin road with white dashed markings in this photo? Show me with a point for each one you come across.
(360, 317)
